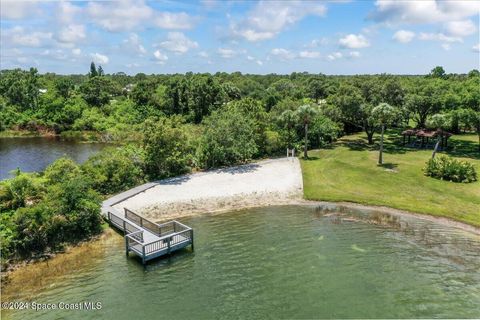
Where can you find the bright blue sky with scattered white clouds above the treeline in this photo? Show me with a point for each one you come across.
(332, 37)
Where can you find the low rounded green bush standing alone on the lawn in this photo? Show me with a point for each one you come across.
(446, 168)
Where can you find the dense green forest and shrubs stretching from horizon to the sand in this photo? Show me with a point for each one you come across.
(166, 125)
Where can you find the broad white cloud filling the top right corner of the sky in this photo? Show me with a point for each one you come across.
(425, 11)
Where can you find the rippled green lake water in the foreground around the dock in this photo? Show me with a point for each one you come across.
(285, 262)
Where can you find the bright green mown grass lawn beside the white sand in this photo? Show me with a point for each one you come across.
(348, 171)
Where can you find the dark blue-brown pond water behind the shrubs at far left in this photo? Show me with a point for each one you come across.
(35, 154)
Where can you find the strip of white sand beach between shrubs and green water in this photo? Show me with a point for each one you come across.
(269, 182)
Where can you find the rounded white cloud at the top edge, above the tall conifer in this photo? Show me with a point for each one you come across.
(121, 15)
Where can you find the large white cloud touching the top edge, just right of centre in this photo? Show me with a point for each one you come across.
(268, 18)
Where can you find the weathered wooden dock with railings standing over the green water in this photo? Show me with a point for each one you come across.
(148, 239)
